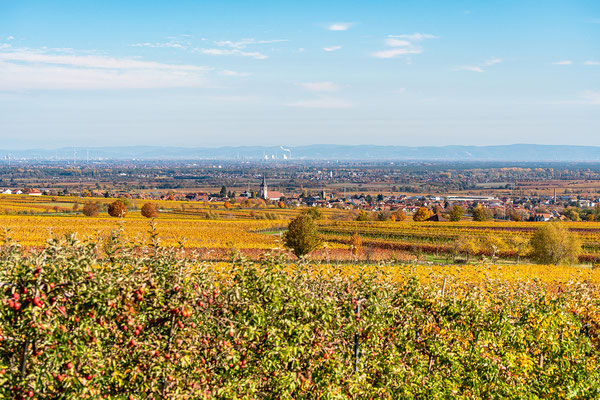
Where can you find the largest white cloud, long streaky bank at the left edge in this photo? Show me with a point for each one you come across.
(27, 69)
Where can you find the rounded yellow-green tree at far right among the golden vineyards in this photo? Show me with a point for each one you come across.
(554, 244)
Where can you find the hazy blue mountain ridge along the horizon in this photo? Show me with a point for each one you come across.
(515, 152)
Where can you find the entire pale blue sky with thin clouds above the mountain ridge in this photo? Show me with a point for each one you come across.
(211, 73)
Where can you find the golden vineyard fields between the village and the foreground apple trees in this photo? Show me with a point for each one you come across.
(213, 229)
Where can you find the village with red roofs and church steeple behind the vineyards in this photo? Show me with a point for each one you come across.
(383, 206)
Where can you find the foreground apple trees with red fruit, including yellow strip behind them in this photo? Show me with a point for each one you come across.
(90, 319)
